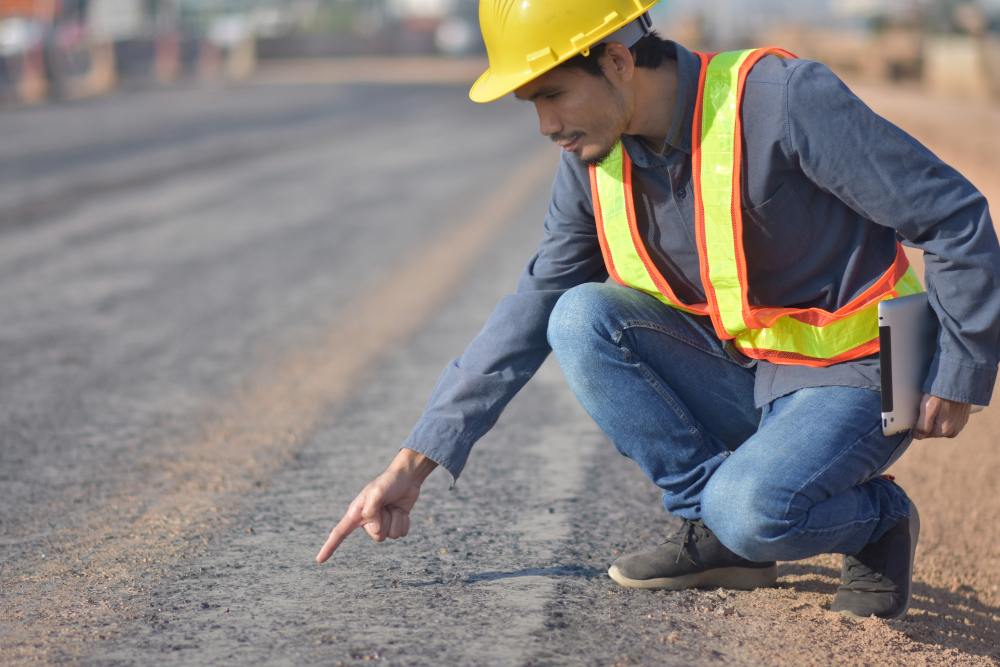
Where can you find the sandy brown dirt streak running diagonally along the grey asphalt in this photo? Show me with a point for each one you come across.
(195, 488)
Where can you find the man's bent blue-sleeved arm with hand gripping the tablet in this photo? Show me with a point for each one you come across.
(892, 180)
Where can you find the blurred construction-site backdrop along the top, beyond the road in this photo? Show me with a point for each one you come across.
(66, 49)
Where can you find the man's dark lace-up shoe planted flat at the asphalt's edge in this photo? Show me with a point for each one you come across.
(693, 557)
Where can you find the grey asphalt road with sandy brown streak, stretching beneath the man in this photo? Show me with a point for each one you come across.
(223, 311)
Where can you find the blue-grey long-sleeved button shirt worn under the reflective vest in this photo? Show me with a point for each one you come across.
(828, 187)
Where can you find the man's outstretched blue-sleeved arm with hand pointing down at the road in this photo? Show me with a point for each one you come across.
(475, 388)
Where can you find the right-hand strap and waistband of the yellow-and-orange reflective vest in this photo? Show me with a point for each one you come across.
(784, 335)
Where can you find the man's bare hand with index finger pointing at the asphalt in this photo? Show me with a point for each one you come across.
(383, 507)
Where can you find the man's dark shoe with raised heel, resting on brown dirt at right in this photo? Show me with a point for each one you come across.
(877, 580)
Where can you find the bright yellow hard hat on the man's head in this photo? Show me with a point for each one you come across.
(526, 38)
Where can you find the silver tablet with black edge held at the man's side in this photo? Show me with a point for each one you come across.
(908, 330)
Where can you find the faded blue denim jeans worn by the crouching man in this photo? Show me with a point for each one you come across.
(793, 480)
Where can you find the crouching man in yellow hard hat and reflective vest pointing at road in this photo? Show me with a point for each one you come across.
(747, 208)
